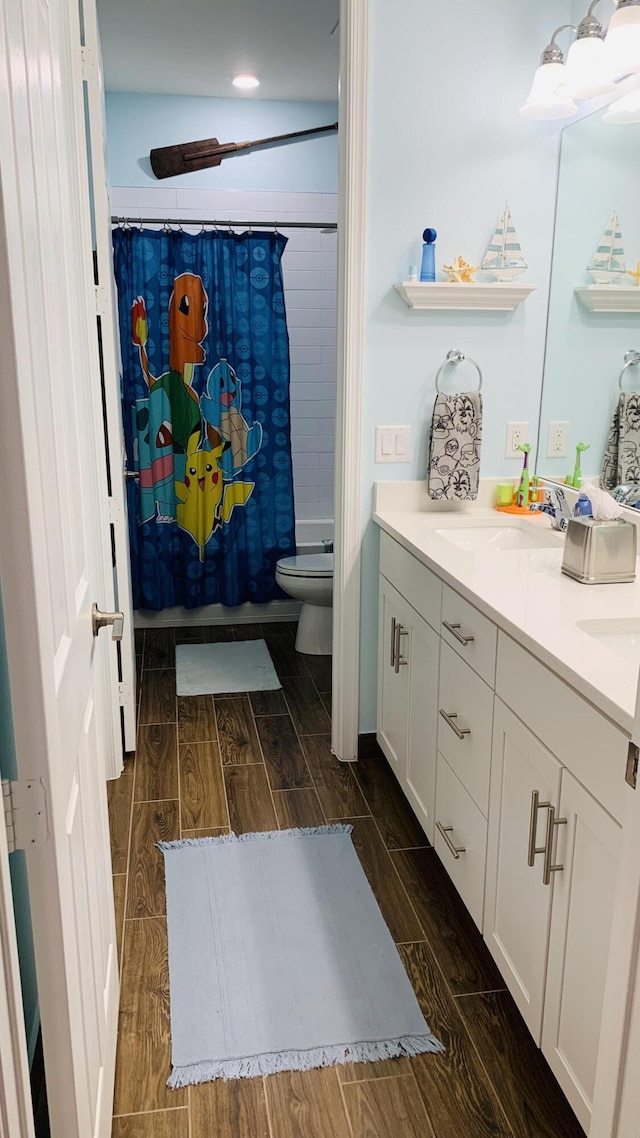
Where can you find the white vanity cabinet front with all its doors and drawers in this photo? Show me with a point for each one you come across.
(520, 785)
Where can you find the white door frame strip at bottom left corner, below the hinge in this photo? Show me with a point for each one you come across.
(17, 1117)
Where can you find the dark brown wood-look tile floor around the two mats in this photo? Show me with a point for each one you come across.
(262, 762)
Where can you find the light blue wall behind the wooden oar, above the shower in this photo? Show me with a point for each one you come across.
(137, 123)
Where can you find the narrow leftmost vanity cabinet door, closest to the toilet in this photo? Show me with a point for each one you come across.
(393, 680)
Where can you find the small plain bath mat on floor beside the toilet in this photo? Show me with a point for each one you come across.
(212, 670)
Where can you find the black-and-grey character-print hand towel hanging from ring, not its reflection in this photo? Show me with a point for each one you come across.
(456, 447)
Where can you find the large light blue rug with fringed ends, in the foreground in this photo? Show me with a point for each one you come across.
(280, 959)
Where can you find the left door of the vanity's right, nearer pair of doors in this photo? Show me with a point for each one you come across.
(519, 903)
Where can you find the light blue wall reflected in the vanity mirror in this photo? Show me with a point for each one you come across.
(600, 172)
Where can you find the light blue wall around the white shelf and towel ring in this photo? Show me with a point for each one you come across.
(447, 147)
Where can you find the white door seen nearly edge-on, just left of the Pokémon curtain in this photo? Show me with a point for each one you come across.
(111, 366)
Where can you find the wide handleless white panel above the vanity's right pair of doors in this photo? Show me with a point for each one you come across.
(579, 736)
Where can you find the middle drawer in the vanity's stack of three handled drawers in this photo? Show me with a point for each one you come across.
(466, 706)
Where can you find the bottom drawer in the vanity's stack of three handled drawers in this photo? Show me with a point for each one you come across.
(462, 847)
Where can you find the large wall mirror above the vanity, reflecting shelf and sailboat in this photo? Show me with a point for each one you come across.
(589, 331)
